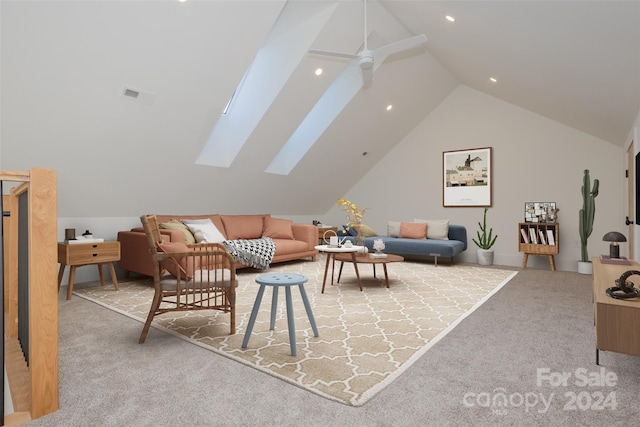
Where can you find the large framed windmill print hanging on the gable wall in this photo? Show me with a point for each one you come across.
(467, 177)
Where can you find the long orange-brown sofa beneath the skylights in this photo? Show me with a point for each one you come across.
(293, 241)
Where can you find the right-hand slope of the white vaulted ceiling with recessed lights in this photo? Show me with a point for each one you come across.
(576, 62)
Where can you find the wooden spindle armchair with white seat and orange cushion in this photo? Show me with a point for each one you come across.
(194, 277)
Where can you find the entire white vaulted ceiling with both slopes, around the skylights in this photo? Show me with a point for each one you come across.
(65, 65)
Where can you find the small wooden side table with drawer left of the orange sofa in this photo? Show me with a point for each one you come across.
(81, 254)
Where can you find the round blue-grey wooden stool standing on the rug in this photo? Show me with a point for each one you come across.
(287, 281)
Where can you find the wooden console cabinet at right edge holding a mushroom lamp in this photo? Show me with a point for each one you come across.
(617, 321)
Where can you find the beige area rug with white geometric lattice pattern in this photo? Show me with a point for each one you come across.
(367, 339)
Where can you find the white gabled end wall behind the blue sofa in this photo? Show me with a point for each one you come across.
(534, 160)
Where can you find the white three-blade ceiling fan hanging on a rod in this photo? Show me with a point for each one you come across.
(366, 57)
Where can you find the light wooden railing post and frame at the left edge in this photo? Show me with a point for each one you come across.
(32, 235)
